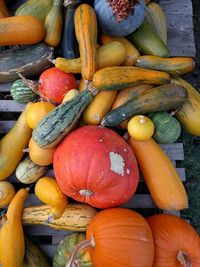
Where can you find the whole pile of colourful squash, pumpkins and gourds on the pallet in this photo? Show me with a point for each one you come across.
(105, 93)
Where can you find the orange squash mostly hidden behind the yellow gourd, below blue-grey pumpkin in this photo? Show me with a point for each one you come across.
(131, 51)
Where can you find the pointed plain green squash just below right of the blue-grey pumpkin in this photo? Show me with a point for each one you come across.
(148, 42)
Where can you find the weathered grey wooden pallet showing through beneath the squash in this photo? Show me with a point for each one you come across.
(181, 42)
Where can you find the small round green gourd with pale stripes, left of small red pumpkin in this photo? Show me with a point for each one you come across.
(22, 93)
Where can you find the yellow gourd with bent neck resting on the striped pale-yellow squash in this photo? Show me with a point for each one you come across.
(48, 191)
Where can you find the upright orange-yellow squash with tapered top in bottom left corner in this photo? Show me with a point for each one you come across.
(12, 247)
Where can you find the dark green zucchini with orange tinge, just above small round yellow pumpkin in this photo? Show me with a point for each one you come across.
(161, 98)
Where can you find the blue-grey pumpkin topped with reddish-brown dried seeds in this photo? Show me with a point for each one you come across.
(119, 18)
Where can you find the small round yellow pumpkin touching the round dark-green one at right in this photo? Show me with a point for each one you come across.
(140, 128)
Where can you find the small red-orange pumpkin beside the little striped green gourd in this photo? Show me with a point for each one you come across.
(54, 84)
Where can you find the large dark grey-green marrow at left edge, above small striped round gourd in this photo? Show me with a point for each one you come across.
(28, 60)
